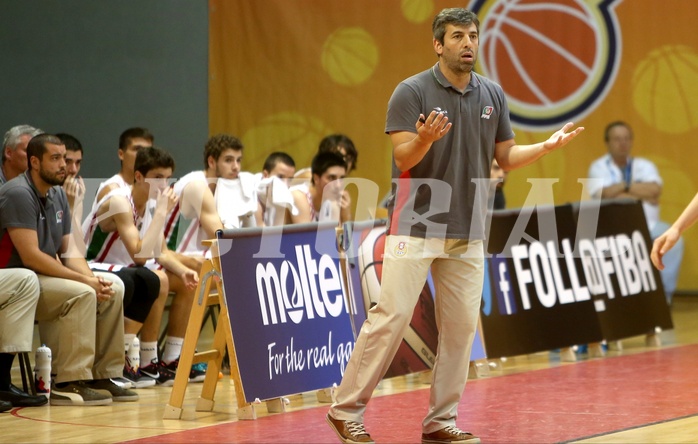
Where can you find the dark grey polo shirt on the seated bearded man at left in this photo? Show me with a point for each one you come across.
(21, 206)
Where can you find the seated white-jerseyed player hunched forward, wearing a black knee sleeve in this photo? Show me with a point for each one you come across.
(126, 228)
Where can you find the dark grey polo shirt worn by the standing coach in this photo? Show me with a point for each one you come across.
(441, 196)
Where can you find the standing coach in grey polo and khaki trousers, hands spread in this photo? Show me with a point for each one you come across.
(446, 125)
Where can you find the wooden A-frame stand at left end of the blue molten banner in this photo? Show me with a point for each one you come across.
(209, 292)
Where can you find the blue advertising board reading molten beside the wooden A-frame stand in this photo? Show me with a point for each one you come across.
(289, 314)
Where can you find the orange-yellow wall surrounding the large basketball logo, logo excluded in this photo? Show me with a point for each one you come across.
(285, 73)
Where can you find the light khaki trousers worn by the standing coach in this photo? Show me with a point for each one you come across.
(457, 268)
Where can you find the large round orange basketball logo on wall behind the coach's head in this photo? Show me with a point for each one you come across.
(556, 60)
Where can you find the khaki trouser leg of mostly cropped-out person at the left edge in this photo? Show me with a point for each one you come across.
(19, 294)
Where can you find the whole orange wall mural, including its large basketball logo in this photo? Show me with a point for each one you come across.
(587, 61)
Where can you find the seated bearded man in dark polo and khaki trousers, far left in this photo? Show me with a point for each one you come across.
(80, 313)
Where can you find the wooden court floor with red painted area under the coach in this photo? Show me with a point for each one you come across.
(639, 395)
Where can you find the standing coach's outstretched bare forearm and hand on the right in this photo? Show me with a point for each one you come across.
(510, 156)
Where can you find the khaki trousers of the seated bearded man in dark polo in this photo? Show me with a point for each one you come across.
(86, 338)
